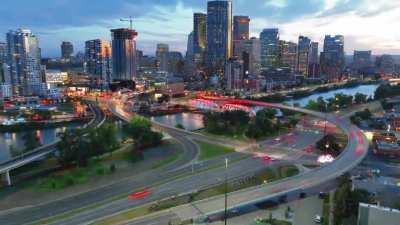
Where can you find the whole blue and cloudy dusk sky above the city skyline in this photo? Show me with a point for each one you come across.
(366, 24)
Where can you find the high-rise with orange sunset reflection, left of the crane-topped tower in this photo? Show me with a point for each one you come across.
(98, 61)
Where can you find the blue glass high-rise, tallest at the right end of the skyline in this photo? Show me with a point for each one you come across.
(332, 58)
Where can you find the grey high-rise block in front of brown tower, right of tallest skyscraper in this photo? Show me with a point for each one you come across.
(249, 51)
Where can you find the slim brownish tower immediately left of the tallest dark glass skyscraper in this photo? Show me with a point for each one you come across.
(199, 37)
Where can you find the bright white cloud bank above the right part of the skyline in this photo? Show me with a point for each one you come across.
(374, 32)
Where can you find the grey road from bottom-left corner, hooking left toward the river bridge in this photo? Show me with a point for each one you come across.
(34, 213)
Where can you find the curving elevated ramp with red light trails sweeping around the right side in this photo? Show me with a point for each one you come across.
(353, 154)
